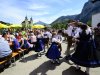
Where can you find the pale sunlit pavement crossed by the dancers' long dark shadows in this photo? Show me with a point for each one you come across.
(43, 66)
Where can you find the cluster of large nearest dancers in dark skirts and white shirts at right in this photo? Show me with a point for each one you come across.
(86, 45)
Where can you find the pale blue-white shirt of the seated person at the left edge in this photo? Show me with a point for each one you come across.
(4, 48)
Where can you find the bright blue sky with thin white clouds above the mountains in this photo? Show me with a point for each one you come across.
(14, 11)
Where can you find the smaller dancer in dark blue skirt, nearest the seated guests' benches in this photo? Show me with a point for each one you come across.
(39, 47)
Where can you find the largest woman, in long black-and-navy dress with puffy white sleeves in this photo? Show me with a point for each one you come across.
(85, 54)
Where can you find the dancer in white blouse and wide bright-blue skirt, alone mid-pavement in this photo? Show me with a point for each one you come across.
(54, 51)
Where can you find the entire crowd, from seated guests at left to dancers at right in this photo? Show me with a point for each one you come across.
(85, 39)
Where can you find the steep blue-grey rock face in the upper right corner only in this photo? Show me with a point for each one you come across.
(87, 11)
